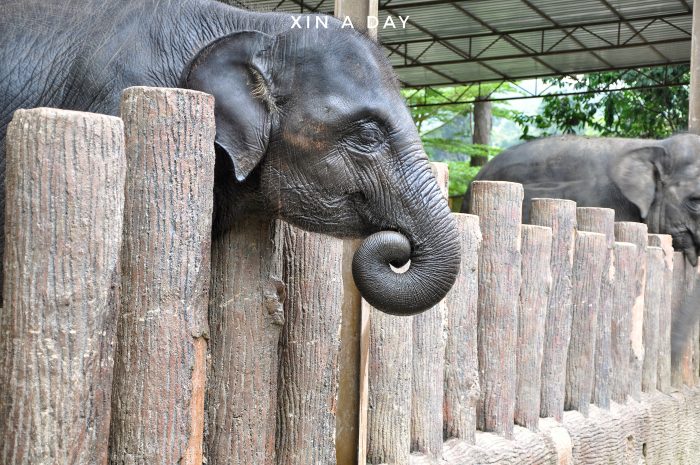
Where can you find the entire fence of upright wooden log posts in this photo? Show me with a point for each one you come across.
(128, 337)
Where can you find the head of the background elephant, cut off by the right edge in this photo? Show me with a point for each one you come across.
(663, 181)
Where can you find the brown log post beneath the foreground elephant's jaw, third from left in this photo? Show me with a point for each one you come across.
(245, 317)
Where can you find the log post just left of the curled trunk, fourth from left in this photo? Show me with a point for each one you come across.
(309, 347)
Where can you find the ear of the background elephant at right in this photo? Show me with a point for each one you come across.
(635, 173)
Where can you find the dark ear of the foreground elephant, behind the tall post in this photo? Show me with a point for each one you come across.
(236, 70)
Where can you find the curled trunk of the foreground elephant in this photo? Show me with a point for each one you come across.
(434, 253)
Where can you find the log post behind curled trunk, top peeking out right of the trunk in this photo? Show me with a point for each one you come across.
(428, 362)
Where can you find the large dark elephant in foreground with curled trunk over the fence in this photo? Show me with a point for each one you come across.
(311, 126)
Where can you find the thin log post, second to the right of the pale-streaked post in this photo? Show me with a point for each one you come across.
(665, 282)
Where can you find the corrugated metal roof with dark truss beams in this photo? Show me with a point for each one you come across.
(448, 42)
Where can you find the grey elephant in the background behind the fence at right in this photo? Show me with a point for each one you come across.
(656, 182)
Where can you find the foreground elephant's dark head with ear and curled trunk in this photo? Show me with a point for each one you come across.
(311, 127)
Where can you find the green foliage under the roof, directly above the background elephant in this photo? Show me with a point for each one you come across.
(649, 113)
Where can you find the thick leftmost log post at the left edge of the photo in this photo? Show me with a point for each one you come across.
(64, 208)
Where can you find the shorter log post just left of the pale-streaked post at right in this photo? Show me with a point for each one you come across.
(624, 293)
